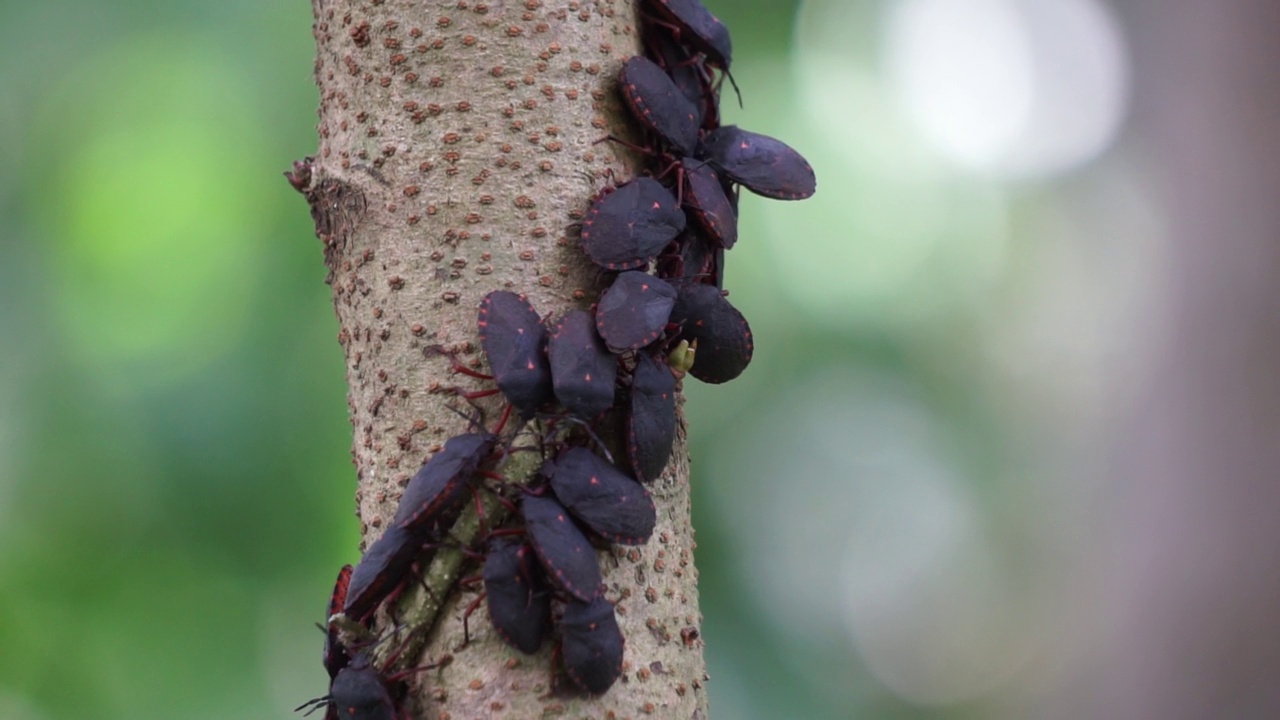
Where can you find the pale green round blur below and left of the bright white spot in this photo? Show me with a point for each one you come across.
(894, 234)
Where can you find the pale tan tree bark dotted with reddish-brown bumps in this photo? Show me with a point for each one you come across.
(458, 149)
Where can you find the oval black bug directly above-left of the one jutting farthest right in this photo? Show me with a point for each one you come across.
(659, 104)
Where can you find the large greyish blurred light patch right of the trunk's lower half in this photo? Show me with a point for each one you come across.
(851, 493)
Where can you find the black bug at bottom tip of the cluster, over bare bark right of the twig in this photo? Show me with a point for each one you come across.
(592, 645)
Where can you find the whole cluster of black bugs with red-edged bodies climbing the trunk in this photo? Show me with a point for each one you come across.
(619, 363)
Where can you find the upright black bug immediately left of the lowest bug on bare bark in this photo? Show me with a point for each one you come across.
(520, 603)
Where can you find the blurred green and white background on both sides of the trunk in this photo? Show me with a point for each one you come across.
(909, 507)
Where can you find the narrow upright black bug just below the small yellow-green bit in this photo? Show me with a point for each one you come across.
(652, 420)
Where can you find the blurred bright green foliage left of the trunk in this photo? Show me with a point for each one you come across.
(176, 489)
